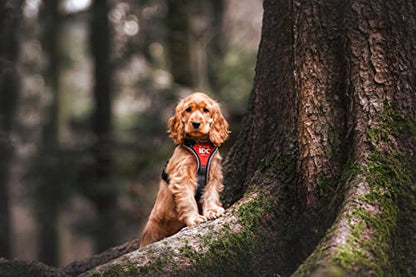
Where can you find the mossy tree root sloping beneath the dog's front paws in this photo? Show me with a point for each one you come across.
(222, 246)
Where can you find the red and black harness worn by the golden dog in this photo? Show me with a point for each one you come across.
(203, 153)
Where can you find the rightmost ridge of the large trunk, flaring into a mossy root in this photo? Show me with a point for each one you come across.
(373, 232)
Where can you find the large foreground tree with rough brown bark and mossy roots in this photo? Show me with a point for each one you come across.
(321, 179)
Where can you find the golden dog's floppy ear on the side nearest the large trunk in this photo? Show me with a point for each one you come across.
(218, 131)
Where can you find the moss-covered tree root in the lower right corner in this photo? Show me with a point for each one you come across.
(364, 240)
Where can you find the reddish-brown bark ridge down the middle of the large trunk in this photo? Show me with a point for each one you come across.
(320, 85)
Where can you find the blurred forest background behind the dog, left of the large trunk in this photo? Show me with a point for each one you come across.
(83, 145)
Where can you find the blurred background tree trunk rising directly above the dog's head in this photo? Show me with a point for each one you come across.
(196, 44)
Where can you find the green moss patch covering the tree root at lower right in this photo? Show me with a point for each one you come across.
(373, 215)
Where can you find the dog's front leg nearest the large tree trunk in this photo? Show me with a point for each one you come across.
(211, 205)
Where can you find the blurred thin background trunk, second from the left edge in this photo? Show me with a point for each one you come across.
(46, 203)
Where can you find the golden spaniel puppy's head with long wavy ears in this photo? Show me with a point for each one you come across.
(198, 117)
